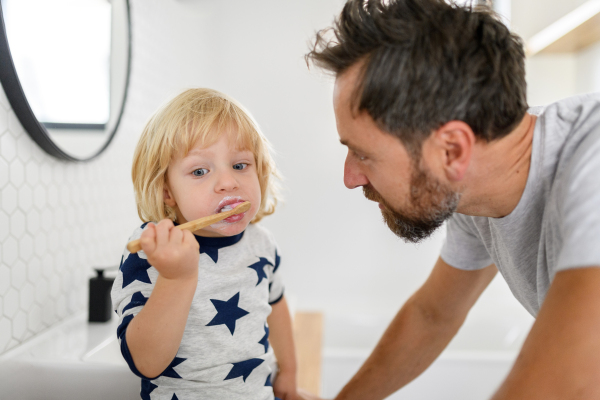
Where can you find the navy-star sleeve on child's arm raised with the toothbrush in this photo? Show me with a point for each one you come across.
(131, 289)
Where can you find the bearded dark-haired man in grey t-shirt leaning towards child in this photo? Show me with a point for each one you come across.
(430, 100)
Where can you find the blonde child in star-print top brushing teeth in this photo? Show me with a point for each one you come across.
(199, 311)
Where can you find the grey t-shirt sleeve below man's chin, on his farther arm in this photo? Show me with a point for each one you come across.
(463, 248)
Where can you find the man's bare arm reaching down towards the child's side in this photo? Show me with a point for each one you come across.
(420, 331)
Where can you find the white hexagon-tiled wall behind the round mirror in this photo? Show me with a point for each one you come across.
(58, 219)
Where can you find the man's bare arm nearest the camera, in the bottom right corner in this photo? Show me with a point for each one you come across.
(561, 357)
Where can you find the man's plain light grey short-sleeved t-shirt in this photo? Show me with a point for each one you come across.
(556, 224)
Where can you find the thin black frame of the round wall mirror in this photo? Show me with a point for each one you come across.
(18, 101)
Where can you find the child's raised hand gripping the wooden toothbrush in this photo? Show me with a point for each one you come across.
(173, 252)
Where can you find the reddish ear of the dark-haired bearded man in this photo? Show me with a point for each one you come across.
(455, 141)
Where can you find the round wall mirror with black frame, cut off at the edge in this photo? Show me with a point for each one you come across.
(65, 71)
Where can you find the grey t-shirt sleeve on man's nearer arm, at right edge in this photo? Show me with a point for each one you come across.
(580, 208)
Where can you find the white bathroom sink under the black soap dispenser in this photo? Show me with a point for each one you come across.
(73, 360)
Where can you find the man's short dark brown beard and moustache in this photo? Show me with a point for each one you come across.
(432, 203)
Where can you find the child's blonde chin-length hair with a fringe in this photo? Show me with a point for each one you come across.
(196, 115)
